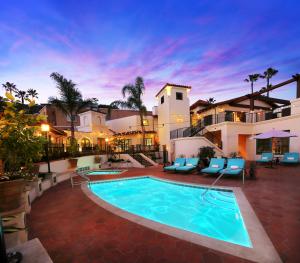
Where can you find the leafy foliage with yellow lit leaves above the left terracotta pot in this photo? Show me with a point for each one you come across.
(19, 143)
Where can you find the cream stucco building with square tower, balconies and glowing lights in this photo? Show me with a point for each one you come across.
(183, 127)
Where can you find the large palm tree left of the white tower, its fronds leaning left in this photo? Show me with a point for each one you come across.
(70, 101)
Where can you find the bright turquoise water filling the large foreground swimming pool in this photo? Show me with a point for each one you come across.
(217, 215)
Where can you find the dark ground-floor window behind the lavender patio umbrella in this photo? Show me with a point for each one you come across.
(277, 145)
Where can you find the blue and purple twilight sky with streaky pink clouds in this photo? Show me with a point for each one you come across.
(103, 45)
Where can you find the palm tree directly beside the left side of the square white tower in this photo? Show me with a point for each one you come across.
(134, 101)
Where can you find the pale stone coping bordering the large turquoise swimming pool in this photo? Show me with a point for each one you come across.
(262, 251)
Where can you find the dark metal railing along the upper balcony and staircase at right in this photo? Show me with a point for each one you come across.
(230, 116)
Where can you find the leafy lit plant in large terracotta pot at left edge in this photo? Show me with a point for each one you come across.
(20, 146)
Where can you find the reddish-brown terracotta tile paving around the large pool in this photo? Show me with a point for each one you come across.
(74, 229)
